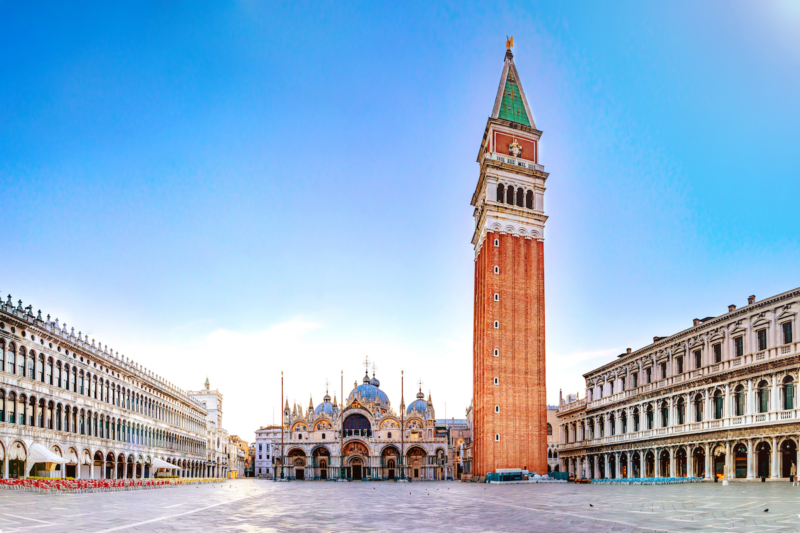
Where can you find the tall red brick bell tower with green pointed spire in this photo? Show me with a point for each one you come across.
(510, 410)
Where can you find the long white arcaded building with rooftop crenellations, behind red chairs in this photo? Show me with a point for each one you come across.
(107, 415)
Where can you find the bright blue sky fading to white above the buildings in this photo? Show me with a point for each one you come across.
(234, 189)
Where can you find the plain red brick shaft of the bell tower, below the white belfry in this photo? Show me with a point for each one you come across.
(522, 421)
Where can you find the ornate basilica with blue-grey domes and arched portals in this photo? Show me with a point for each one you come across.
(363, 438)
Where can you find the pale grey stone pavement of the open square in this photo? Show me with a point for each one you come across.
(254, 505)
